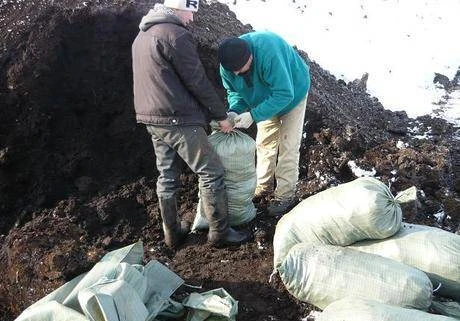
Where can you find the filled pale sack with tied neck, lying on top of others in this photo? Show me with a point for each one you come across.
(341, 215)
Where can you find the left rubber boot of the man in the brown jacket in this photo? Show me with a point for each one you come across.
(175, 232)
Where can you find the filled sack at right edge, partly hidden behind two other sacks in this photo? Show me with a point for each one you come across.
(430, 249)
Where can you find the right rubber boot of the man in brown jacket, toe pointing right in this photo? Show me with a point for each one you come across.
(215, 207)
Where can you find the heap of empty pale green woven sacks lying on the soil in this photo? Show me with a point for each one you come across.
(118, 288)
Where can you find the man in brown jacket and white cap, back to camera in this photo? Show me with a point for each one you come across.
(174, 99)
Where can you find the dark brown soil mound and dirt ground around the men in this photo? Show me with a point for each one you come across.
(77, 174)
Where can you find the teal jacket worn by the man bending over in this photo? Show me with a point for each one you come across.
(276, 82)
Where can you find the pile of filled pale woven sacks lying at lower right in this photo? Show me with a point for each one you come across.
(346, 251)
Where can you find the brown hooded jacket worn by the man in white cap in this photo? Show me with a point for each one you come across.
(170, 83)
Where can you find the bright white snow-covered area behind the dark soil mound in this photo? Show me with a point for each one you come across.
(399, 43)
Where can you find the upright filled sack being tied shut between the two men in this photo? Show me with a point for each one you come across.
(236, 151)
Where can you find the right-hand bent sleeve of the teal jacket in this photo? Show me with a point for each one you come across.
(275, 72)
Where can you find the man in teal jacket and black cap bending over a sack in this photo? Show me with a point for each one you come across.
(267, 82)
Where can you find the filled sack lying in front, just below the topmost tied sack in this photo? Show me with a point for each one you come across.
(322, 274)
